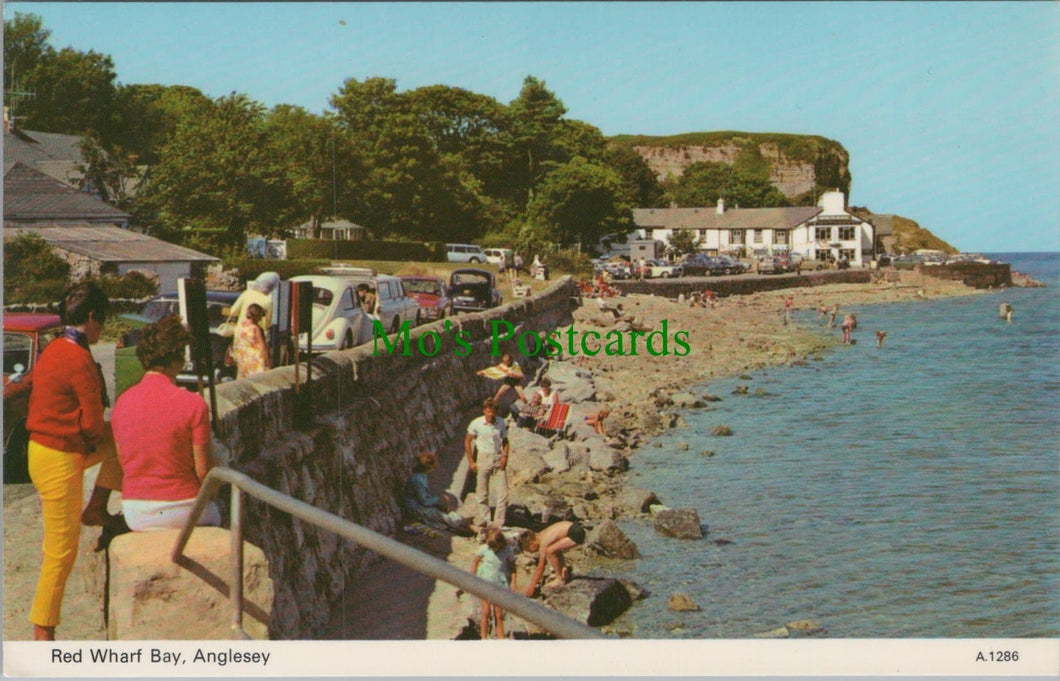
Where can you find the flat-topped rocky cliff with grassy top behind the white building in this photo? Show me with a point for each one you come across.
(800, 166)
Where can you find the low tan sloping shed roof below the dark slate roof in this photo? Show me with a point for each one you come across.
(109, 243)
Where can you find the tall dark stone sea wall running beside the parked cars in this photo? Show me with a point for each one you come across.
(345, 444)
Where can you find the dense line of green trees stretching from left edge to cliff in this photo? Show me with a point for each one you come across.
(433, 164)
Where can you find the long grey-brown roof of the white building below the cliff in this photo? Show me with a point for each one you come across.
(733, 219)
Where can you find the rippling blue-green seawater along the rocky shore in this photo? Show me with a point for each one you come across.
(905, 492)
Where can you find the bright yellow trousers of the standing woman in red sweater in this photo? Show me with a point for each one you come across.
(59, 478)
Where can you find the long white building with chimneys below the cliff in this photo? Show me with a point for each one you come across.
(824, 232)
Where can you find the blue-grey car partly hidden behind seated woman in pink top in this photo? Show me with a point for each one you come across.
(218, 304)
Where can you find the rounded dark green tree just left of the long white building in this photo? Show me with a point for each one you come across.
(581, 202)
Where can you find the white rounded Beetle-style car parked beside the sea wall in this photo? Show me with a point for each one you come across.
(339, 321)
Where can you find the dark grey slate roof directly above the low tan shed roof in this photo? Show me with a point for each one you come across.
(30, 196)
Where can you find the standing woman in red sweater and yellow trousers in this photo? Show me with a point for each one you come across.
(67, 436)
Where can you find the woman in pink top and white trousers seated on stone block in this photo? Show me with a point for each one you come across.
(163, 434)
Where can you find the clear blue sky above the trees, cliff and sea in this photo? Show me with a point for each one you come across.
(950, 112)
